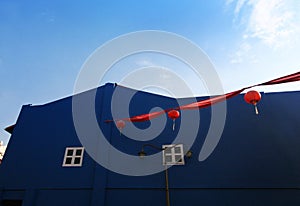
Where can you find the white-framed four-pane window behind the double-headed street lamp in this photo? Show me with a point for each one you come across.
(173, 154)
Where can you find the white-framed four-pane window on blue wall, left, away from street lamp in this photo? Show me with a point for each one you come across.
(73, 157)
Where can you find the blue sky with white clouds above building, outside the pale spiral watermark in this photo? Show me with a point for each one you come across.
(43, 44)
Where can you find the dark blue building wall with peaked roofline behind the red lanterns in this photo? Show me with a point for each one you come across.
(256, 161)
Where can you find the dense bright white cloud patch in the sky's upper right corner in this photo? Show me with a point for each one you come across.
(272, 22)
